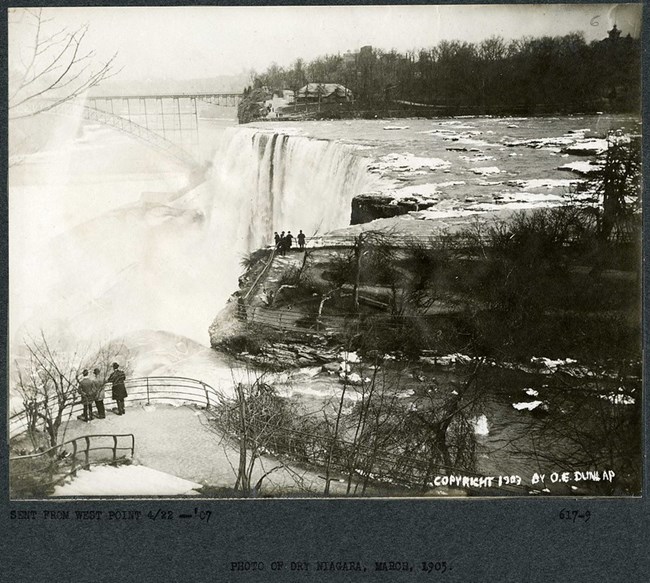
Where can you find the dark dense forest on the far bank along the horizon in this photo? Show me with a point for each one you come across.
(527, 75)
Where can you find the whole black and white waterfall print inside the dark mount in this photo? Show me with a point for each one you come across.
(293, 252)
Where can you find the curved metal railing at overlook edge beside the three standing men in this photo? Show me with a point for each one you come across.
(141, 390)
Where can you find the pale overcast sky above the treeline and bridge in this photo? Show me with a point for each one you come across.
(195, 42)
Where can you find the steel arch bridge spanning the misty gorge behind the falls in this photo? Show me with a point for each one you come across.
(169, 123)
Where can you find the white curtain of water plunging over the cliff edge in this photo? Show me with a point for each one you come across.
(271, 182)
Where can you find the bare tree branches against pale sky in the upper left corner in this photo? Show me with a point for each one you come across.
(51, 68)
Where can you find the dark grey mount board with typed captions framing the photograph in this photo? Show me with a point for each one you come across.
(480, 540)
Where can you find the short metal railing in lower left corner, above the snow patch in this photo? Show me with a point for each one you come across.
(54, 465)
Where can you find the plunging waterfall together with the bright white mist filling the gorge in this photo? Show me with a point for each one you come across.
(102, 244)
